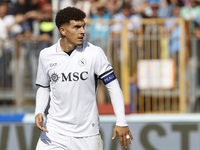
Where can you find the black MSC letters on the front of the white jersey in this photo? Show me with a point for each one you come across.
(74, 76)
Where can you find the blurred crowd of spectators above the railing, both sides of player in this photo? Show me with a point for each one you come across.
(32, 19)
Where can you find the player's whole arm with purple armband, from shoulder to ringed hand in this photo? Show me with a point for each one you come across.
(104, 71)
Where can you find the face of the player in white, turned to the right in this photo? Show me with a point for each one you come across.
(75, 32)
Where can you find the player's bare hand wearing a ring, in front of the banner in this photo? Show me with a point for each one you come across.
(122, 132)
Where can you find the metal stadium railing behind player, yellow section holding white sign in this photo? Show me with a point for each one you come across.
(151, 73)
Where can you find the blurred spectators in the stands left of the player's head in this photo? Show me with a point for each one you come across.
(24, 19)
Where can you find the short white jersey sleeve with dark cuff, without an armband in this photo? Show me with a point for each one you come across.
(42, 76)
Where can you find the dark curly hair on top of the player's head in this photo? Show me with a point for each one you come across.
(69, 13)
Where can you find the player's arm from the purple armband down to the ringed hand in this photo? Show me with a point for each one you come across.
(117, 100)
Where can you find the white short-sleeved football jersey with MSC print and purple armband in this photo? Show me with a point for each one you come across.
(73, 81)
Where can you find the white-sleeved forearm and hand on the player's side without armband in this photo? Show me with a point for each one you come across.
(42, 98)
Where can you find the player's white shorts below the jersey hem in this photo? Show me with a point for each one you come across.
(56, 141)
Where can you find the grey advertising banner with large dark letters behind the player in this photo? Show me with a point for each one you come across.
(150, 132)
